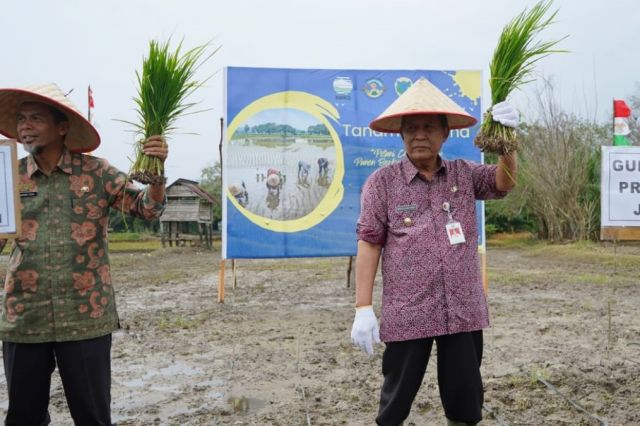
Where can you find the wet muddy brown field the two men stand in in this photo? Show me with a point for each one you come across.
(277, 352)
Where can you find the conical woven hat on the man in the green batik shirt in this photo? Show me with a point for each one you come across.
(81, 137)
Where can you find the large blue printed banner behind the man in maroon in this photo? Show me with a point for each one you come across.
(298, 150)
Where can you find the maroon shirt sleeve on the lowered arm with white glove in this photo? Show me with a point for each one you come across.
(372, 223)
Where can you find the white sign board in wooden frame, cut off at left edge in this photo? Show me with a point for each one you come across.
(10, 217)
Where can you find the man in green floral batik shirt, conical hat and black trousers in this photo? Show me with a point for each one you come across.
(58, 304)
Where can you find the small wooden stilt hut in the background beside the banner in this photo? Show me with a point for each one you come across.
(187, 204)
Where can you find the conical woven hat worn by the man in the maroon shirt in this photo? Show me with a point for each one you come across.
(422, 98)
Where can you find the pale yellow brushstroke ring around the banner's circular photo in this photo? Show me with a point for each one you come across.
(321, 110)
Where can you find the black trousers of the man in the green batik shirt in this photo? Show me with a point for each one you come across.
(85, 370)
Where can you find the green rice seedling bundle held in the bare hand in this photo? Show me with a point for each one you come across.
(166, 81)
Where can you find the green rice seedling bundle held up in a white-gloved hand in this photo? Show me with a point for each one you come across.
(510, 68)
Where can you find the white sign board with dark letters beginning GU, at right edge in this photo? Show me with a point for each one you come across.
(620, 186)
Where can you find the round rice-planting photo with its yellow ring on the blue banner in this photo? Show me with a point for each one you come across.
(284, 163)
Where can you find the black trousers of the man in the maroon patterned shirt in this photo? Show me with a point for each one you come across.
(404, 364)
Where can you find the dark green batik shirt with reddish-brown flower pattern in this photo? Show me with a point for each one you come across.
(58, 284)
